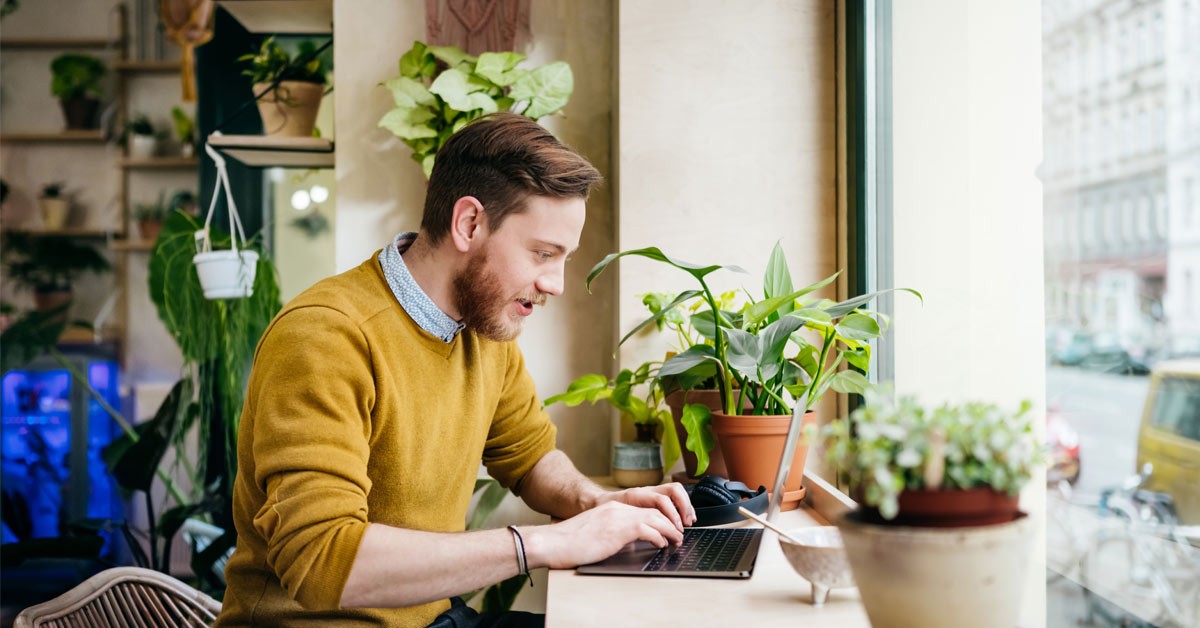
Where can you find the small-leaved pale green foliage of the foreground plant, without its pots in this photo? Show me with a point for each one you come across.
(891, 445)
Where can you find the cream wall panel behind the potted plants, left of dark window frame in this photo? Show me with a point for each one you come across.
(728, 143)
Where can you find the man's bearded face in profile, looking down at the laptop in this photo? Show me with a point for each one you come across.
(519, 266)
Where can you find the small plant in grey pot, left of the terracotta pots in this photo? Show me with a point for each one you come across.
(641, 463)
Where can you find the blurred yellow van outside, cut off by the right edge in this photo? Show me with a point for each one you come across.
(1169, 438)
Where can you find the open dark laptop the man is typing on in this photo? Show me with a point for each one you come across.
(705, 553)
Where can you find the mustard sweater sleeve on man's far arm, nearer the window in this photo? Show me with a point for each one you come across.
(521, 433)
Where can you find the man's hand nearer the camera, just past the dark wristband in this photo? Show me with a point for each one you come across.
(597, 535)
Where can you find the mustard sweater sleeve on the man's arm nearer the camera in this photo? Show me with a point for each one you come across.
(313, 393)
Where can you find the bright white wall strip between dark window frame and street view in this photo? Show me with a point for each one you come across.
(968, 213)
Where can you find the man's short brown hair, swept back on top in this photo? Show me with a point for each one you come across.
(502, 160)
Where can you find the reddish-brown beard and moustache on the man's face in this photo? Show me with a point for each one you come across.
(483, 304)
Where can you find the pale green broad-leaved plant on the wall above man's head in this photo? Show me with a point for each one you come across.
(441, 89)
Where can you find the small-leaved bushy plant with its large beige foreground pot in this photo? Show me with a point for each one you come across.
(938, 539)
